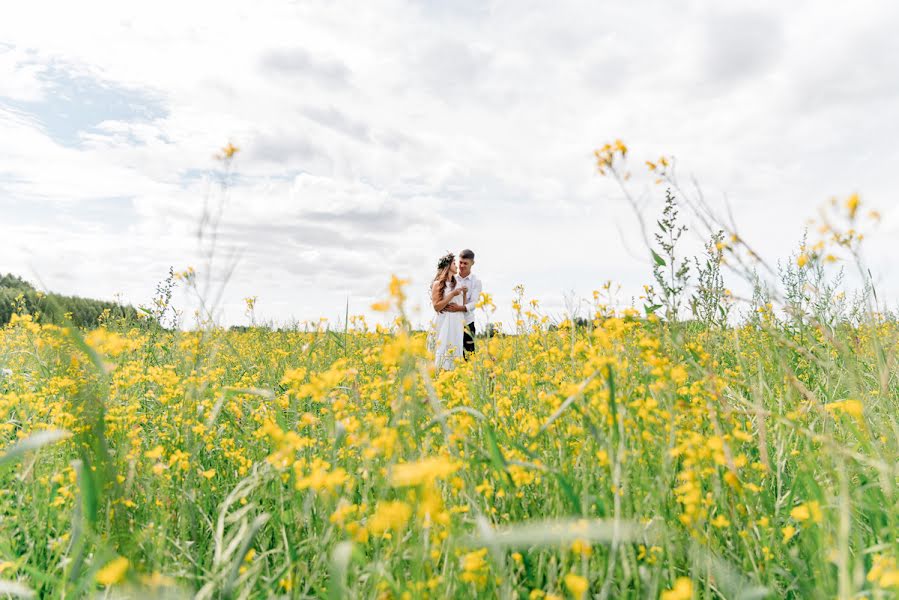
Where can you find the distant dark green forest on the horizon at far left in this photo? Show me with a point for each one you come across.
(18, 295)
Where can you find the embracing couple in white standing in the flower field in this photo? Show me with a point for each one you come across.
(454, 294)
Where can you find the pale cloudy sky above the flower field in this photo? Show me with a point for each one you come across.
(376, 136)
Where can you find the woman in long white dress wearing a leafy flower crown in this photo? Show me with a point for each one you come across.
(449, 325)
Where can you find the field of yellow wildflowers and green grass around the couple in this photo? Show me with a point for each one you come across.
(623, 458)
